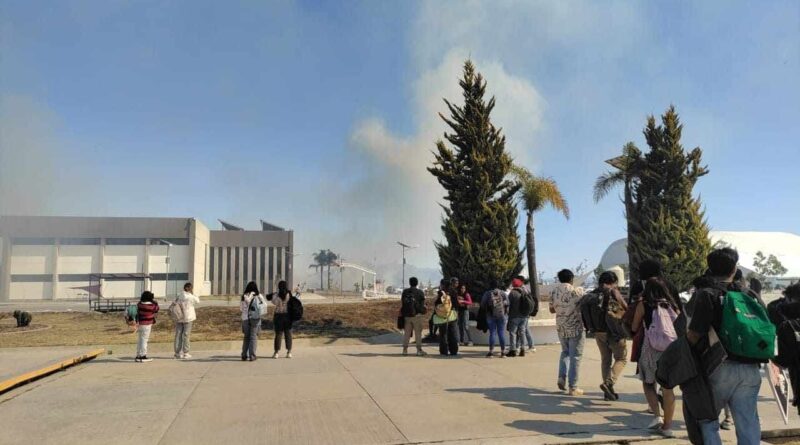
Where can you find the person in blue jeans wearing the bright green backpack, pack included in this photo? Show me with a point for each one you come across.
(736, 380)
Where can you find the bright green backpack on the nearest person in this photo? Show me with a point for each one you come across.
(745, 329)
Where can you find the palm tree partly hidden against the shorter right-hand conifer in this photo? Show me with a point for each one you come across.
(628, 169)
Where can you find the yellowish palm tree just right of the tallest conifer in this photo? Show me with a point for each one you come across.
(536, 192)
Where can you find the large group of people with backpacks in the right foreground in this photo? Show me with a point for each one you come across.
(700, 345)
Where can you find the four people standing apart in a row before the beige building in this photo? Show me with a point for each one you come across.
(253, 307)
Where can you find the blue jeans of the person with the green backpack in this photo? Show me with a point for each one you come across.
(736, 385)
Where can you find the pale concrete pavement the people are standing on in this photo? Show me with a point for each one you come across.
(345, 394)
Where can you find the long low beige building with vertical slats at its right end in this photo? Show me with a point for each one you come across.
(50, 258)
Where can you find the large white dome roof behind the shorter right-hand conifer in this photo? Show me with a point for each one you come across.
(785, 246)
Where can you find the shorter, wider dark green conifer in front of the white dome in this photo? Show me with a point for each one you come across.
(669, 223)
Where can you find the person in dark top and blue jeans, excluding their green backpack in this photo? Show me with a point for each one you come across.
(737, 381)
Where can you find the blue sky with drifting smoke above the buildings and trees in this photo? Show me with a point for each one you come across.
(322, 116)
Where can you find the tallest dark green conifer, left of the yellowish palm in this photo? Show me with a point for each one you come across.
(481, 244)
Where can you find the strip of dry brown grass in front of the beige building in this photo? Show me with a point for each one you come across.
(212, 324)
